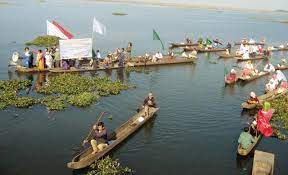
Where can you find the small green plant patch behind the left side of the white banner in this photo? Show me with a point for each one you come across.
(44, 41)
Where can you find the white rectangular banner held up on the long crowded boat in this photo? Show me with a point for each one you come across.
(75, 48)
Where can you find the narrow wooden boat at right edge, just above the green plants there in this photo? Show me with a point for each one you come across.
(266, 97)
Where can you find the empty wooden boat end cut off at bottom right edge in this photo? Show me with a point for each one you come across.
(263, 163)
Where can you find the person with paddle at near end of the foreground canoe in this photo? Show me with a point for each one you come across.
(100, 138)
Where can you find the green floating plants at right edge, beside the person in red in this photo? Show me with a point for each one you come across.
(280, 117)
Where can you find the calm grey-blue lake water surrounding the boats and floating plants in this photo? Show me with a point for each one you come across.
(197, 127)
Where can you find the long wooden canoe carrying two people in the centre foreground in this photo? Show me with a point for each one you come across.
(85, 158)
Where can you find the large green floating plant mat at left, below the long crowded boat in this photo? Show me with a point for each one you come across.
(59, 91)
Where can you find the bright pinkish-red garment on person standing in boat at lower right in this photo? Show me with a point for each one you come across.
(263, 124)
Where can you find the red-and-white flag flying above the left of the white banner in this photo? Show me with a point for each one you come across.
(55, 29)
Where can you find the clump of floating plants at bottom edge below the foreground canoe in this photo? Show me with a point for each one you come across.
(108, 166)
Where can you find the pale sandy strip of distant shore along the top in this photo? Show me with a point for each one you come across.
(182, 5)
